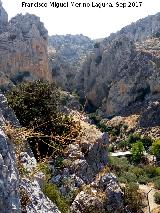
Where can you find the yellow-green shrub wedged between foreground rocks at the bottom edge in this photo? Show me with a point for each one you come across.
(51, 191)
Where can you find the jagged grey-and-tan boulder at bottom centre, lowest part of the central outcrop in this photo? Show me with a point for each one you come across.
(92, 200)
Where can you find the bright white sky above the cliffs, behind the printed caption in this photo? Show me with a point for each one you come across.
(91, 21)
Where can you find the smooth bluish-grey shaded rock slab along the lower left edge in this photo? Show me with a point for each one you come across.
(9, 182)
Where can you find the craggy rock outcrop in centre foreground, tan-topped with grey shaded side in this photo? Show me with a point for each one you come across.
(84, 172)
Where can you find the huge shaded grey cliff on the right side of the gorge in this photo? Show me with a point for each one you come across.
(123, 69)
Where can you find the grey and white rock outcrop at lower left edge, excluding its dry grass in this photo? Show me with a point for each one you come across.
(13, 188)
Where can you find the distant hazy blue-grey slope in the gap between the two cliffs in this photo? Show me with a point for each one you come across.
(66, 56)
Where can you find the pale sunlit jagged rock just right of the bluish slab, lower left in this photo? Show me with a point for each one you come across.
(37, 201)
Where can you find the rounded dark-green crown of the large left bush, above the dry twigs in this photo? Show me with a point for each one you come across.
(34, 102)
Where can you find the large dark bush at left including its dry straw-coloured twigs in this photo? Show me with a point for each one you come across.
(36, 105)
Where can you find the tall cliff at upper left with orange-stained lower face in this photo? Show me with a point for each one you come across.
(23, 48)
